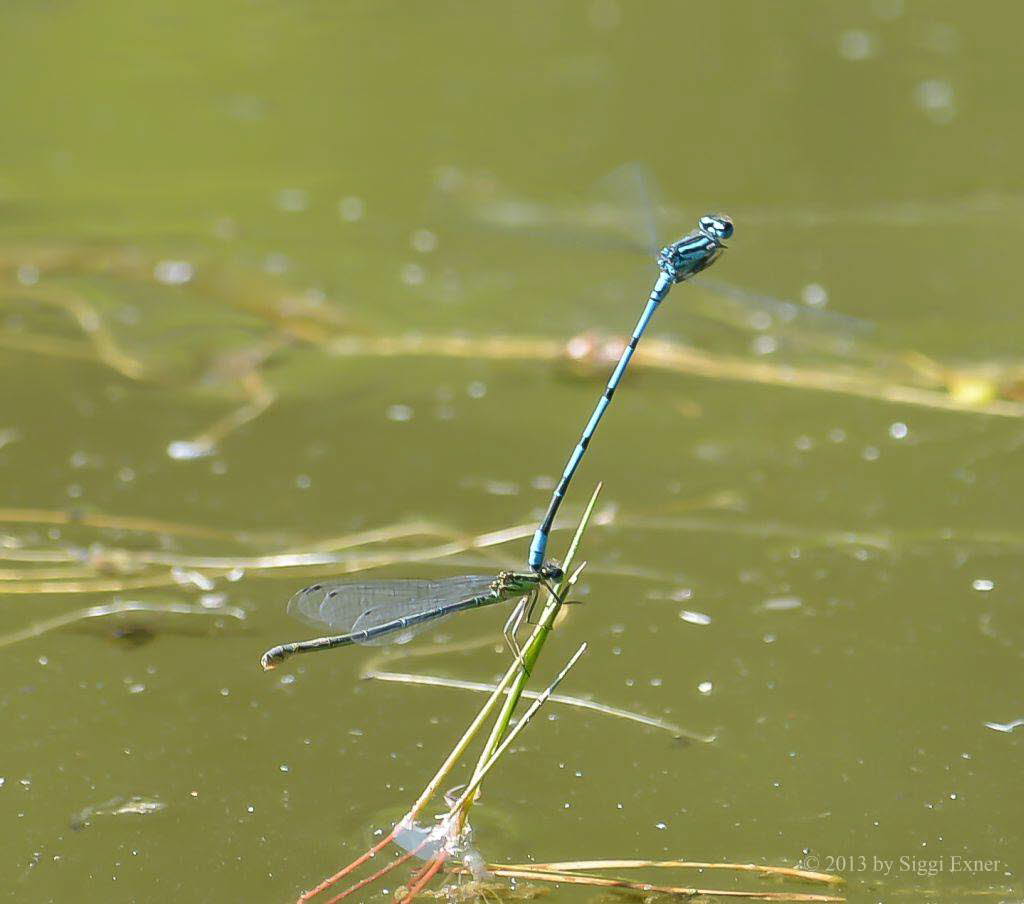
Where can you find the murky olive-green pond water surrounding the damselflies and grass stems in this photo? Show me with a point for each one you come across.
(208, 211)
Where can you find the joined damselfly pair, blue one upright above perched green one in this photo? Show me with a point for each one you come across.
(383, 612)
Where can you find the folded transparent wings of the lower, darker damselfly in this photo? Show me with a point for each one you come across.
(346, 607)
